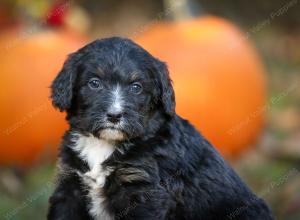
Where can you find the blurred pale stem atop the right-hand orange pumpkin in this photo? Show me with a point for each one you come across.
(182, 9)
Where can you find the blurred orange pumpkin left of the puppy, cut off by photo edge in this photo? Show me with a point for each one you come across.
(29, 125)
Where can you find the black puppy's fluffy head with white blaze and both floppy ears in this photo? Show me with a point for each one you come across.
(114, 89)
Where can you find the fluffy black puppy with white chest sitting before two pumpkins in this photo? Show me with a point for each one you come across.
(127, 155)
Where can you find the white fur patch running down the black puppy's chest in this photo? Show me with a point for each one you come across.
(95, 151)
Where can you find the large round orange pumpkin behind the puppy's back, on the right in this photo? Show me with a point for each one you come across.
(218, 78)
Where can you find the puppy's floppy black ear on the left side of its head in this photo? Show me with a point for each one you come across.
(62, 86)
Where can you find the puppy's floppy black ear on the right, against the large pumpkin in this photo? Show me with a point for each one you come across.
(166, 95)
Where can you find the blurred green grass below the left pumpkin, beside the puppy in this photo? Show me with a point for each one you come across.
(30, 200)
